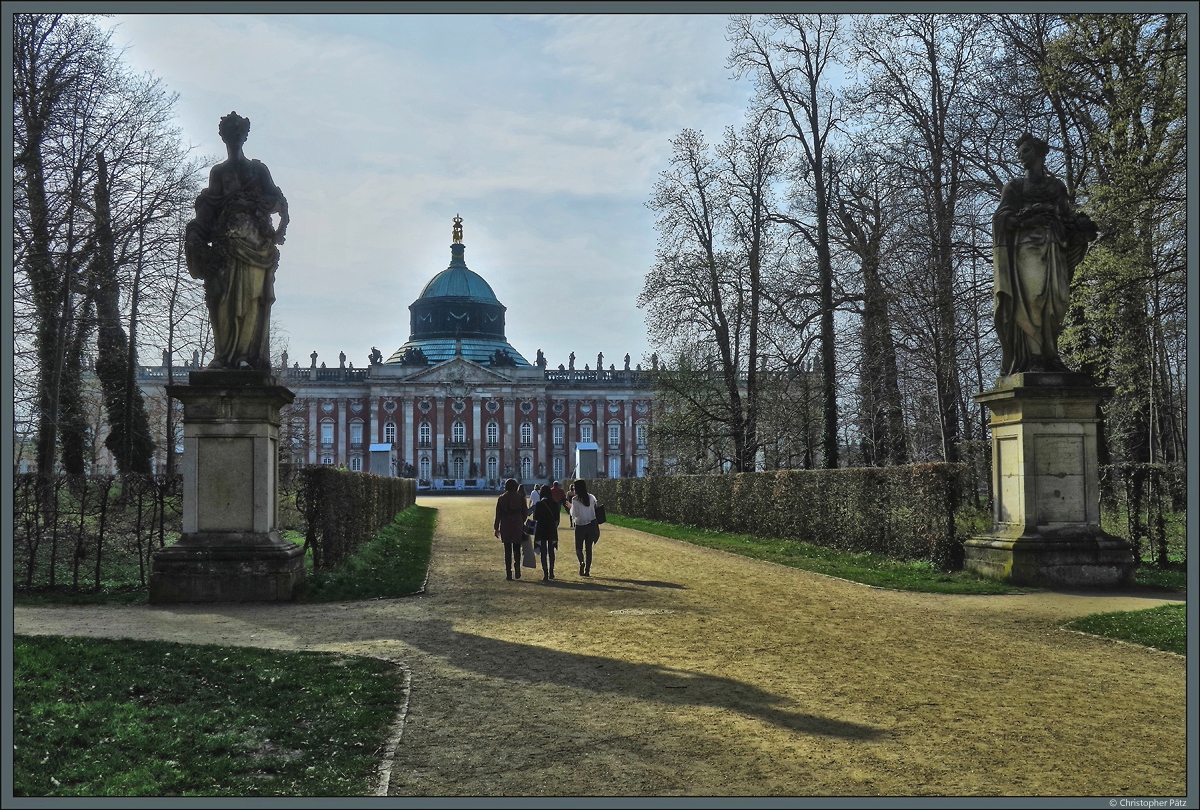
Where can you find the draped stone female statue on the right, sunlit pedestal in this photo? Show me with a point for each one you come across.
(1039, 239)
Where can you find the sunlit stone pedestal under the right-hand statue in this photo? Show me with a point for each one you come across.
(1046, 485)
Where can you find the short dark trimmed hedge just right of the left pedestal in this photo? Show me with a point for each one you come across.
(345, 509)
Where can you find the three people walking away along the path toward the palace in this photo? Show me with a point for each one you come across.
(545, 508)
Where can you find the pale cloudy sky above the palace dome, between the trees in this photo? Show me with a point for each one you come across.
(544, 133)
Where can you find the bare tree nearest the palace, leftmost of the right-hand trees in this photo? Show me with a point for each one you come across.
(705, 296)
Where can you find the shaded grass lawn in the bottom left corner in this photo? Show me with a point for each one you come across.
(147, 718)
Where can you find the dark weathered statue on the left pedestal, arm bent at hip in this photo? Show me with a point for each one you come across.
(231, 245)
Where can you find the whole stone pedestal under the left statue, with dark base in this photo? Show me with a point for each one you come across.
(231, 549)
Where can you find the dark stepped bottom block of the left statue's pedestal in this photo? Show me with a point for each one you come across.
(227, 567)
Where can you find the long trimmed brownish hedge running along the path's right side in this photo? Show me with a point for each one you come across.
(907, 513)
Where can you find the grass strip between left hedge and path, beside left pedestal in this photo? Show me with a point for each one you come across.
(393, 563)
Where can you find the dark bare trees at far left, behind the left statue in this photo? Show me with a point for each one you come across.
(101, 182)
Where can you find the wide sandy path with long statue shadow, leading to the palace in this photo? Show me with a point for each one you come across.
(680, 670)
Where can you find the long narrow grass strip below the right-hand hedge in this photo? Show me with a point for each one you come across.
(867, 568)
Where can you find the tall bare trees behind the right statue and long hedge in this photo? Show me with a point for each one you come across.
(866, 317)
